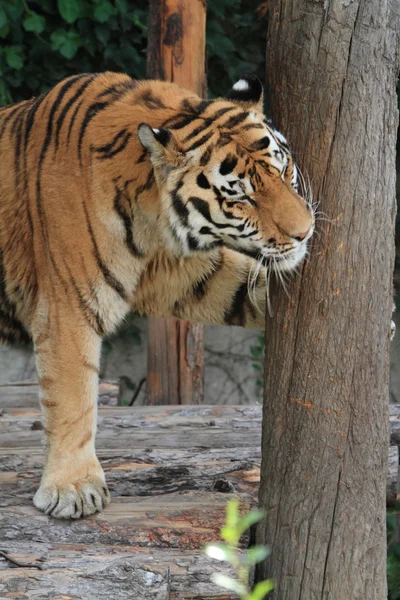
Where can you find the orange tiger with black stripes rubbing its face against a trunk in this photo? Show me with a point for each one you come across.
(120, 195)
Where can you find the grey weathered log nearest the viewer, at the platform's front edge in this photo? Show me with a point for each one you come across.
(101, 572)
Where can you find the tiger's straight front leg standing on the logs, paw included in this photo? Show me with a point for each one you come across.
(67, 351)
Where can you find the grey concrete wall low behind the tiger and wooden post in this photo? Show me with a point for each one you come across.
(231, 374)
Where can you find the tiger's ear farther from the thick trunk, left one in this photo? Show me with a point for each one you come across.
(160, 144)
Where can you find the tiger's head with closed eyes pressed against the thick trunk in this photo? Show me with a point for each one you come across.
(227, 177)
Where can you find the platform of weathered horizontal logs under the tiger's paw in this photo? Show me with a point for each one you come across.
(170, 469)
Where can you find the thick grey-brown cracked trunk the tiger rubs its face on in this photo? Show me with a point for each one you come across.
(332, 69)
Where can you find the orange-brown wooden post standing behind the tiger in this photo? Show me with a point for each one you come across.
(176, 52)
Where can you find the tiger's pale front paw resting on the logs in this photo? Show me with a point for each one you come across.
(72, 500)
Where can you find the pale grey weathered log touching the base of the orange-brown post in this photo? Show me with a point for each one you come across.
(209, 427)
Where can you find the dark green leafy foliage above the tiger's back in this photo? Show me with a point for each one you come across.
(42, 42)
